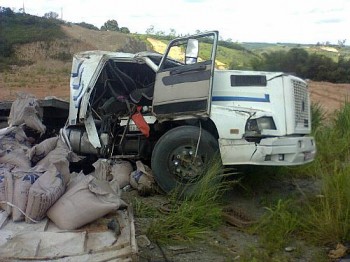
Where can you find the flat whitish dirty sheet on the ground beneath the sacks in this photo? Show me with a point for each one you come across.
(45, 241)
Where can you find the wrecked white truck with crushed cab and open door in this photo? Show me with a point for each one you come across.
(177, 111)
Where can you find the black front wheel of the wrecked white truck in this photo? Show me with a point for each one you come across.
(174, 162)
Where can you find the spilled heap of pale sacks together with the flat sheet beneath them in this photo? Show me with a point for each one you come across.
(48, 211)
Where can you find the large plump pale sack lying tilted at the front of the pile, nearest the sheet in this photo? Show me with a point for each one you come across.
(86, 200)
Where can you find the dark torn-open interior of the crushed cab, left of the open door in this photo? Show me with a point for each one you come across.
(123, 89)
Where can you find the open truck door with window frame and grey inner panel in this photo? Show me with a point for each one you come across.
(183, 85)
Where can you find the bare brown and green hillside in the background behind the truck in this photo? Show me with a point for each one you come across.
(44, 67)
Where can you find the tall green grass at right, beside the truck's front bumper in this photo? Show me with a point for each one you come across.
(322, 218)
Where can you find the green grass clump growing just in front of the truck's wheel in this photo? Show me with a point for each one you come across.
(195, 215)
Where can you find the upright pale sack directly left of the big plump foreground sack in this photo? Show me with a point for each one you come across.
(44, 192)
